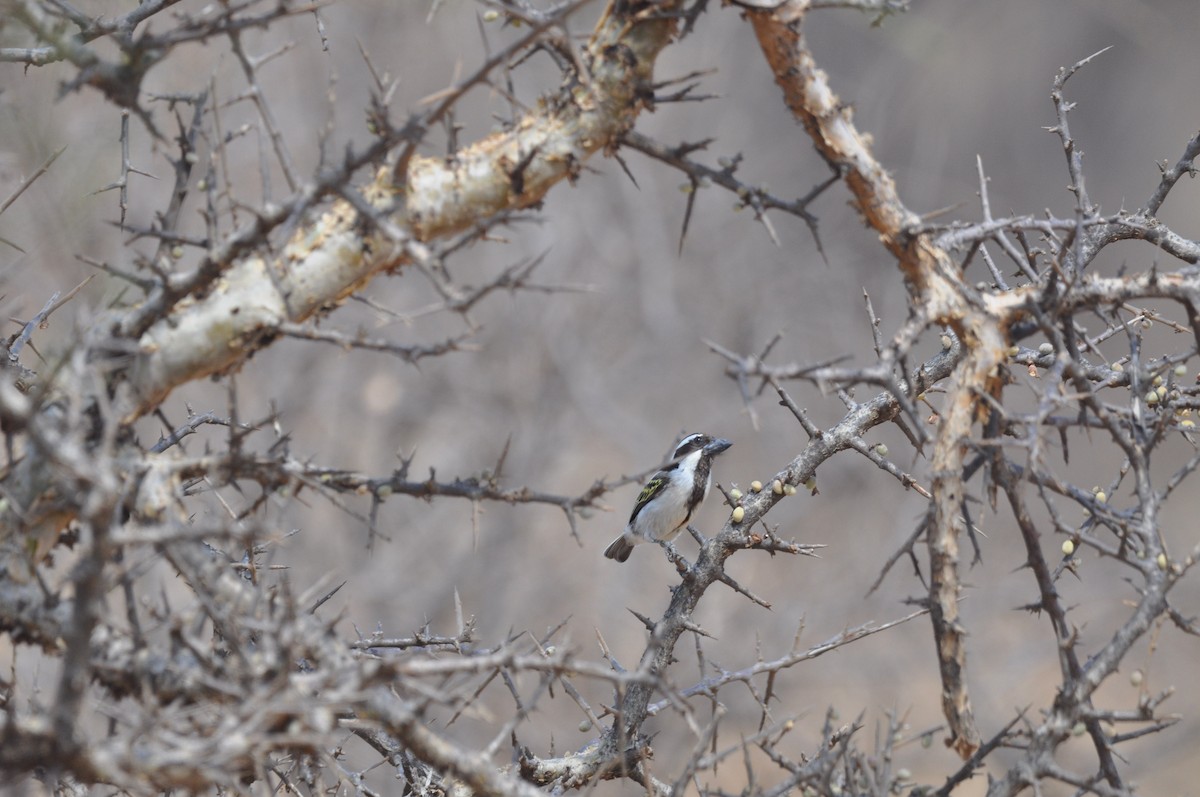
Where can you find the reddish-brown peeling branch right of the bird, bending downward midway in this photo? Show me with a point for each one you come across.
(938, 289)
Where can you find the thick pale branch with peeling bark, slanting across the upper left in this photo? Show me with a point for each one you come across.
(333, 257)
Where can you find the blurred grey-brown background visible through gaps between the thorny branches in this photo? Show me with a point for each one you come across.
(599, 383)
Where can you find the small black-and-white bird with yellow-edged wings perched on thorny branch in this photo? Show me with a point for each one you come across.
(671, 496)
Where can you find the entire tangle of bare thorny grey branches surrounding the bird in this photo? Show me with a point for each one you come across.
(244, 682)
